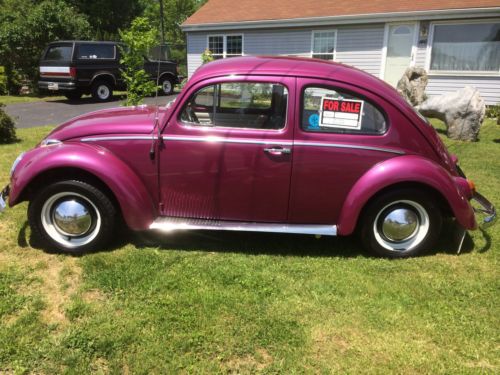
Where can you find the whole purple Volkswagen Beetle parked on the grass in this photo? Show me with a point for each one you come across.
(251, 144)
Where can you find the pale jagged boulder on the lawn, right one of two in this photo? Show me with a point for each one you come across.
(462, 111)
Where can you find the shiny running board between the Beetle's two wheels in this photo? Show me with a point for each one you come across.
(169, 224)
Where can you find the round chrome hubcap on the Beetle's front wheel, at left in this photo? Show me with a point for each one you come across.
(72, 217)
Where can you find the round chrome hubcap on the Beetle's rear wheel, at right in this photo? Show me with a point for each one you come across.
(400, 224)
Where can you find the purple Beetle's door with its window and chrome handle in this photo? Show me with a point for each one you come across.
(227, 151)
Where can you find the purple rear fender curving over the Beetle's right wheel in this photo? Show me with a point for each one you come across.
(406, 169)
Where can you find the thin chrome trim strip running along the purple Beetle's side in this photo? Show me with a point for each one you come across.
(216, 139)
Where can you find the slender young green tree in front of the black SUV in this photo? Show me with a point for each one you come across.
(139, 40)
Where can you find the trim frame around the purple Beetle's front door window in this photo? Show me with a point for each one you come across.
(192, 125)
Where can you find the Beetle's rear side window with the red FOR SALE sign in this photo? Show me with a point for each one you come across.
(327, 110)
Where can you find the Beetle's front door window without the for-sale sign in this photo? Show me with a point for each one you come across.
(238, 105)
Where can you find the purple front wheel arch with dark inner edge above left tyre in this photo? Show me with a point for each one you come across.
(117, 180)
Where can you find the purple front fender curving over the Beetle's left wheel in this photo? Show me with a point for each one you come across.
(134, 199)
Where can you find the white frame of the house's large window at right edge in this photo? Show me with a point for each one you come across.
(461, 73)
